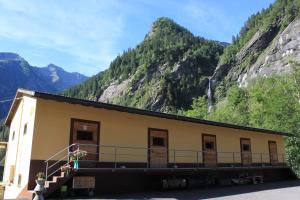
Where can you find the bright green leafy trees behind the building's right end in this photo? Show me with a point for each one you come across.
(270, 103)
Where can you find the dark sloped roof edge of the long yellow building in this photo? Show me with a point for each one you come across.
(95, 104)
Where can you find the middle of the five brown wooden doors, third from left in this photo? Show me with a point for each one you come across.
(209, 150)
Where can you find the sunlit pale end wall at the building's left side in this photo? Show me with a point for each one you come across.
(19, 149)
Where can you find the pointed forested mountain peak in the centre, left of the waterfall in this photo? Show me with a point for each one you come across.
(163, 73)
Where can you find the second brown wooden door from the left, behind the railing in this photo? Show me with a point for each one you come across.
(158, 148)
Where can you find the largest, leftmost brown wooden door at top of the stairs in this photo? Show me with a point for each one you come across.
(86, 134)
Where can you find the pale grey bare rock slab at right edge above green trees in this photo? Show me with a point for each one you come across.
(278, 57)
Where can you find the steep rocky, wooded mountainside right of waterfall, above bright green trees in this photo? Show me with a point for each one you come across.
(266, 44)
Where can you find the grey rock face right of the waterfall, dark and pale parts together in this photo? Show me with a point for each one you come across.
(270, 52)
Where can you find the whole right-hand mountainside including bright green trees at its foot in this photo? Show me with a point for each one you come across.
(257, 80)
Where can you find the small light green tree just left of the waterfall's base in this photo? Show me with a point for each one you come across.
(199, 108)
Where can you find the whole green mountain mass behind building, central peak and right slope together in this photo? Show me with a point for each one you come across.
(254, 81)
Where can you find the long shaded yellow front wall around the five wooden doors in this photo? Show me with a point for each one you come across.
(52, 131)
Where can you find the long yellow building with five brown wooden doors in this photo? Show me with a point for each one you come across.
(127, 143)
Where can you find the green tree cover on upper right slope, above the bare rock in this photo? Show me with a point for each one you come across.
(277, 17)
